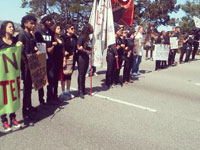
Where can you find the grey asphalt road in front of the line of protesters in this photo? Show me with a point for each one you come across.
(159, 111)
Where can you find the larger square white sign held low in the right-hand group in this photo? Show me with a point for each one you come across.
(161, 52)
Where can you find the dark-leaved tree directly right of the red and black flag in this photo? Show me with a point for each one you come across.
(155, 12)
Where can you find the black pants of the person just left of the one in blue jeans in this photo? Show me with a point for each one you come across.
(127, 67)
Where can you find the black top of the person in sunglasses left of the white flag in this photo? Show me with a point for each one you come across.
(70, 43)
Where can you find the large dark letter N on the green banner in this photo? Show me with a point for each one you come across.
(13, 62)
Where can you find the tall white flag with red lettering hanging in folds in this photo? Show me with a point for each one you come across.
(102, 21)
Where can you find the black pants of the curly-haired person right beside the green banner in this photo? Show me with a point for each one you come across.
(27, 89)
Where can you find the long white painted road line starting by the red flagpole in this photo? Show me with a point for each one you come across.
(122, 102)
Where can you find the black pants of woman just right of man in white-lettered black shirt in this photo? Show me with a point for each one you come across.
(57, 69)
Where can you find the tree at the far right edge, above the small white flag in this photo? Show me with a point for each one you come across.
(191, 9)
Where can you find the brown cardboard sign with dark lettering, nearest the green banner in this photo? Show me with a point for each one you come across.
(37, 66)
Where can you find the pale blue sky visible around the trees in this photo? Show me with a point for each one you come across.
(11, 10)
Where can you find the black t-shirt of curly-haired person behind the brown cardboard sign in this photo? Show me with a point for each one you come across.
(28, 41)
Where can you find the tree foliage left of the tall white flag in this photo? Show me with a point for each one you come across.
(62, 11)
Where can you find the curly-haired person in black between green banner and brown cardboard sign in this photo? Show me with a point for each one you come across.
(28, 24)
